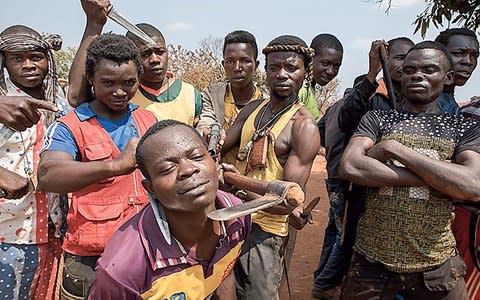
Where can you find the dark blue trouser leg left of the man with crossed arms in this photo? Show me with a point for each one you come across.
(331, 267)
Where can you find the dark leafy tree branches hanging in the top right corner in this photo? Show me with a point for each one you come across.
(462, 13)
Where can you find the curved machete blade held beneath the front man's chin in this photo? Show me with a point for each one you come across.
(244, 209)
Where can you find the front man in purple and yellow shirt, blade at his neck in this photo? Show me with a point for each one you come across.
(171, 249)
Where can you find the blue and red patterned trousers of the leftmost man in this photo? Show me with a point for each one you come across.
(29, 271)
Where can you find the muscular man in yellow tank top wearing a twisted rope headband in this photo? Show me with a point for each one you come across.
(277, 139)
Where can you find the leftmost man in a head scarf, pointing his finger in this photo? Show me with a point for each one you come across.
(29, 247)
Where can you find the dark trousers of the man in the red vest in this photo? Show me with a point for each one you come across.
(78, 276)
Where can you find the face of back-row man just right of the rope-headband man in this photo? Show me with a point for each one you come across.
(326, 64)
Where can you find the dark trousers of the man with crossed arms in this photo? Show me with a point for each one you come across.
(367, 280)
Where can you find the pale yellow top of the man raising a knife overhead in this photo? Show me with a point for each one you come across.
(181, 108)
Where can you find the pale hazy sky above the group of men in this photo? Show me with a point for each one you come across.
(356, 23)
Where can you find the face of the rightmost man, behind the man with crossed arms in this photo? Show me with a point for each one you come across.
(464, 52)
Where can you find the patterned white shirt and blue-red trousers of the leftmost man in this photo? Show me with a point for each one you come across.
(30, 237)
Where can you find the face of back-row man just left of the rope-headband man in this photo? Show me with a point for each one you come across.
(239, 64)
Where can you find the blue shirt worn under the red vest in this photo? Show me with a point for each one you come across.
(60, 138)
